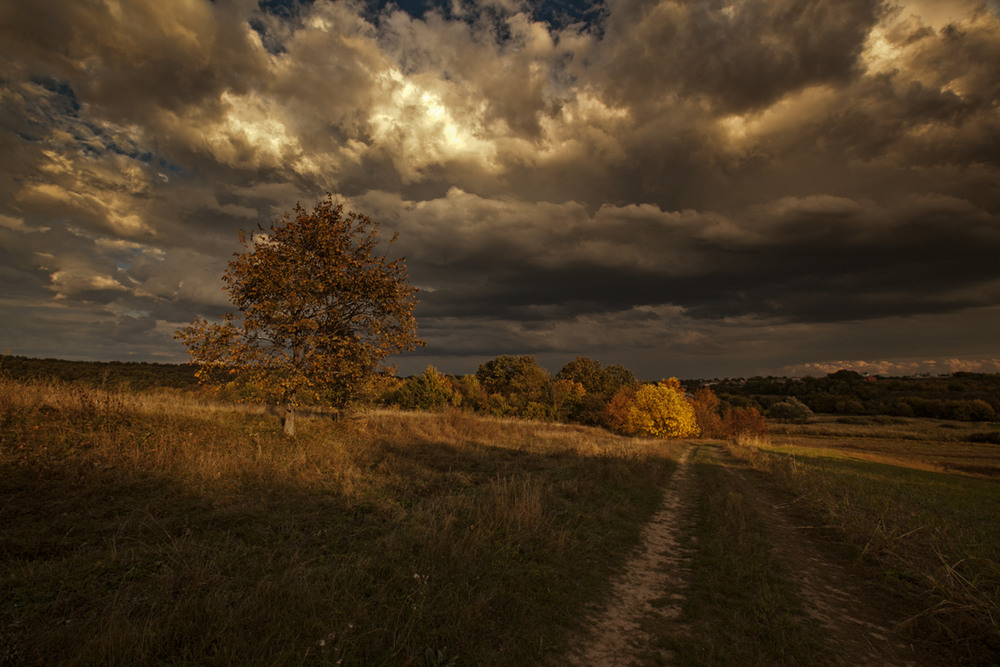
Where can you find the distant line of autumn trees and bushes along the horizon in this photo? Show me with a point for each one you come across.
(586, 392)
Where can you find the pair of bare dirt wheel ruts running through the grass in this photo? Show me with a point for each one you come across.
(654, 582)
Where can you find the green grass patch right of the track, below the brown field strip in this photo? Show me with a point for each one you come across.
(933, 533)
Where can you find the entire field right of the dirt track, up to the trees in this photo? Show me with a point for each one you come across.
(914, 497)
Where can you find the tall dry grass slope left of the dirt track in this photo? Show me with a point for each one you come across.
(143, 527)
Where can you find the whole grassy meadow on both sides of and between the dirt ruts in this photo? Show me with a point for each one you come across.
(164, 526)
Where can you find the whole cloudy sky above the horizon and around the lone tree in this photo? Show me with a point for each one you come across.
(690, 188)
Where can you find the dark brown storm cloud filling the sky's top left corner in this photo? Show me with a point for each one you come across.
(134, 58)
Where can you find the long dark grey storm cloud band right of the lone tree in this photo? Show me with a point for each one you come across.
(818, 259)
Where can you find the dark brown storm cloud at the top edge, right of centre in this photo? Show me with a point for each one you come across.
(738, 56)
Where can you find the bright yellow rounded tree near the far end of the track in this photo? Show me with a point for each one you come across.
(661, 411)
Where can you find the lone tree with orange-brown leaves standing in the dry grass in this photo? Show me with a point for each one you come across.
(320, 307)
